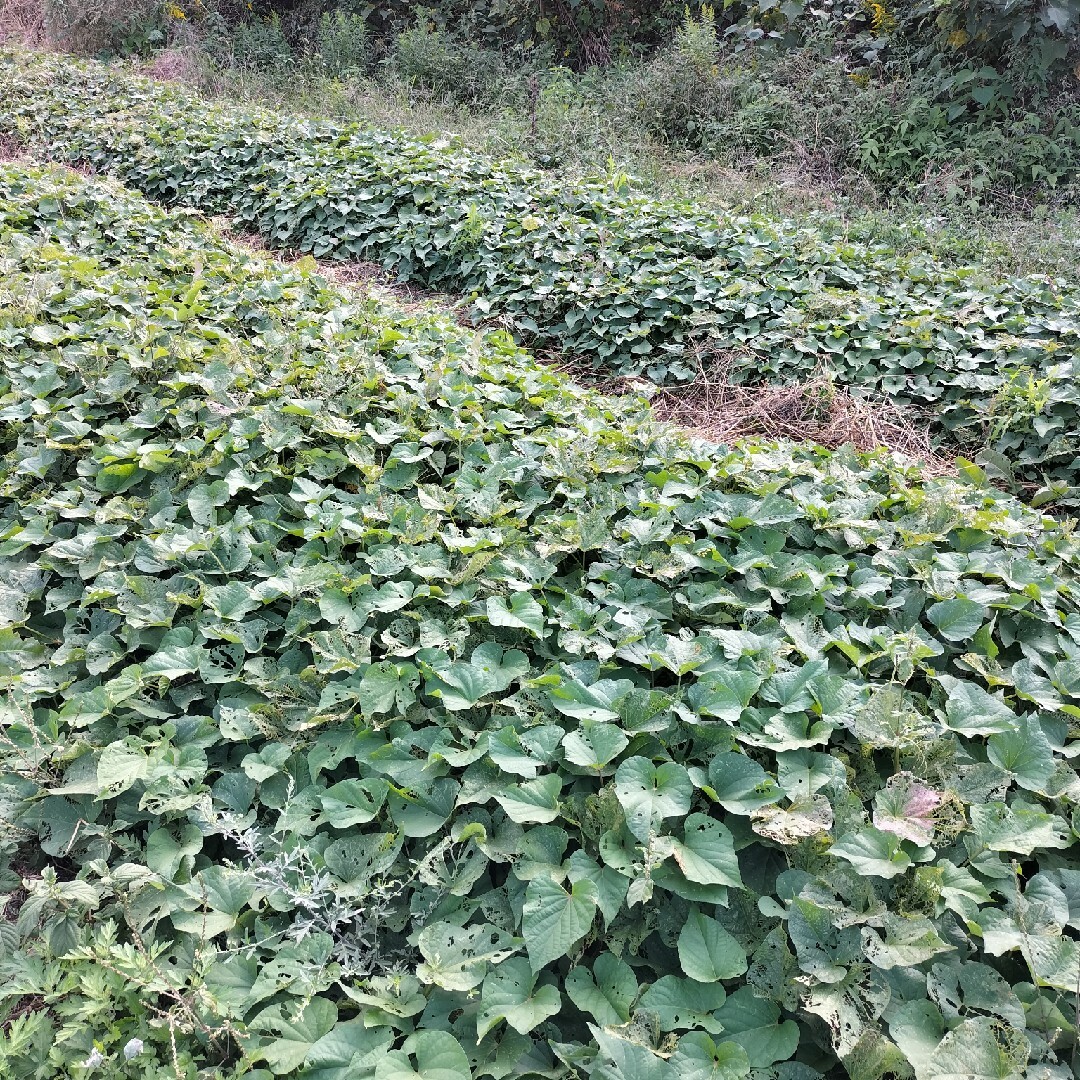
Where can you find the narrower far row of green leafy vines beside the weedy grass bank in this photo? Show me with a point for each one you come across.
(629, 283)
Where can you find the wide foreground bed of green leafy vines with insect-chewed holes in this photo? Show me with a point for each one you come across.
(380, 705)
